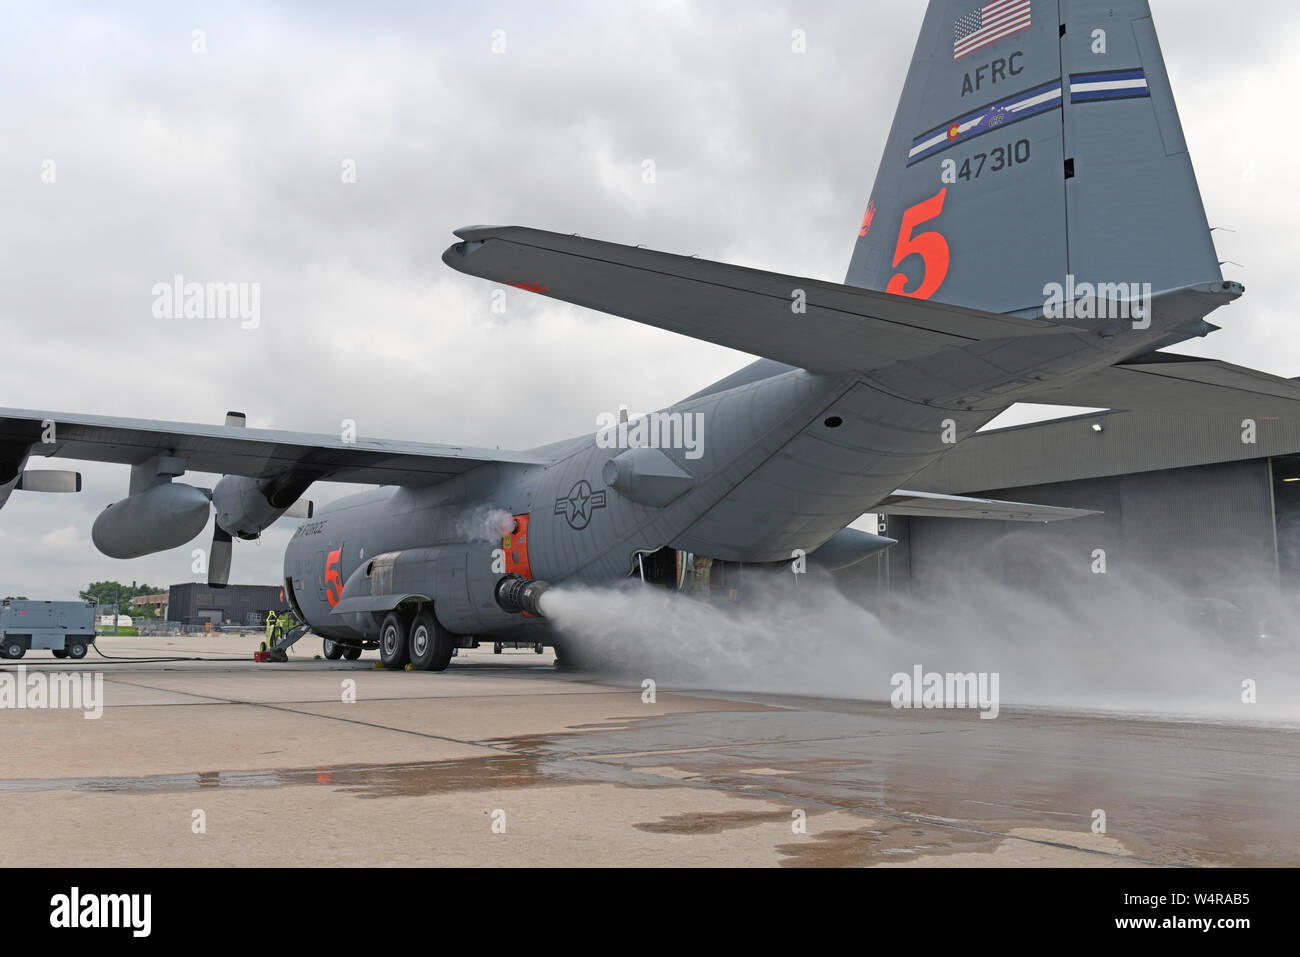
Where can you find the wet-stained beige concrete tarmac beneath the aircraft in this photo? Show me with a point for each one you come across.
(502, 760)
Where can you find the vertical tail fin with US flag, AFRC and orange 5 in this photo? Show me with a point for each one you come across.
(1034, 142)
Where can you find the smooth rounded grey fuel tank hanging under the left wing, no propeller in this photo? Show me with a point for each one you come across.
(158, 519)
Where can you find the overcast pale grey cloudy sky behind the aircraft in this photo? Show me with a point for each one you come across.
(220, 157)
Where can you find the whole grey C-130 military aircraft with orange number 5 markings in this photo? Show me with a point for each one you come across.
(1035, 144)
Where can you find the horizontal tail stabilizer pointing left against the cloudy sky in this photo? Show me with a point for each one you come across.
(842, 330)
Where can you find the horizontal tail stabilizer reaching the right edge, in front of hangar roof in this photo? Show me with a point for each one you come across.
(1172, 383)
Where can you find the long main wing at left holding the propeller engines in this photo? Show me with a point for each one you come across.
(237, 451)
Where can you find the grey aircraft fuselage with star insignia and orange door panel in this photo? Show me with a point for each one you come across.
(751, 470)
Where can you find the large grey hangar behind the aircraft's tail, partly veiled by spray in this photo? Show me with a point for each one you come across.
(1211, 505)
